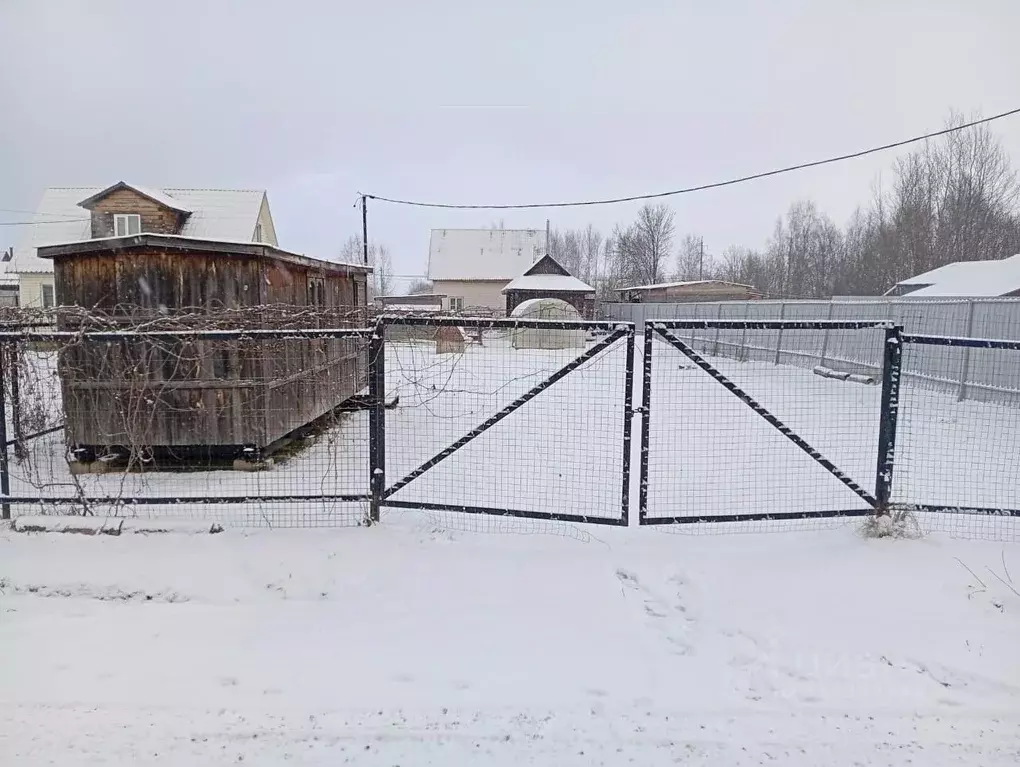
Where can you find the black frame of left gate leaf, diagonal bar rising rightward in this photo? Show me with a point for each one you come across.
(382, 493)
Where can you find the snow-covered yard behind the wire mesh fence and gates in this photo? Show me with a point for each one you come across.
(710, 454)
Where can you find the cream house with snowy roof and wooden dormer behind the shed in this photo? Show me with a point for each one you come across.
(233, 216)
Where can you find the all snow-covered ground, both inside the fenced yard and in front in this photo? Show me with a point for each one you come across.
(426, 641)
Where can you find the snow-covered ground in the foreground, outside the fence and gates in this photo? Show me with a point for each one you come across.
(409, 644)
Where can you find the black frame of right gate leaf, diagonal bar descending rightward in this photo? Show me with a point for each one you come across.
(891, 384)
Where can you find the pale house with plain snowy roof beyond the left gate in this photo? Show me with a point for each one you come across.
(473, 267)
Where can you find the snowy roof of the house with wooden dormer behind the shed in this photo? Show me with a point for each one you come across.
(216, 215)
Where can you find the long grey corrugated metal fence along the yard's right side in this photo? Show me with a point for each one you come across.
(980, 375)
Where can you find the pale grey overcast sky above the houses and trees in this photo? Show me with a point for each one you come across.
(488, 103)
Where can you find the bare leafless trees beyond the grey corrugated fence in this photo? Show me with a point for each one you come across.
(953, 199)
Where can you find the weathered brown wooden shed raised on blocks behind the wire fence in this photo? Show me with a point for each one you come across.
(175, 398)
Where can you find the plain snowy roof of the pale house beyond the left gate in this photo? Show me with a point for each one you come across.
(484, 254)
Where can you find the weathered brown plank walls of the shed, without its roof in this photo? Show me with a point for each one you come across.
(209, 393)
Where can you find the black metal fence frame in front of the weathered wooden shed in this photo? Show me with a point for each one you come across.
(66, 337)
